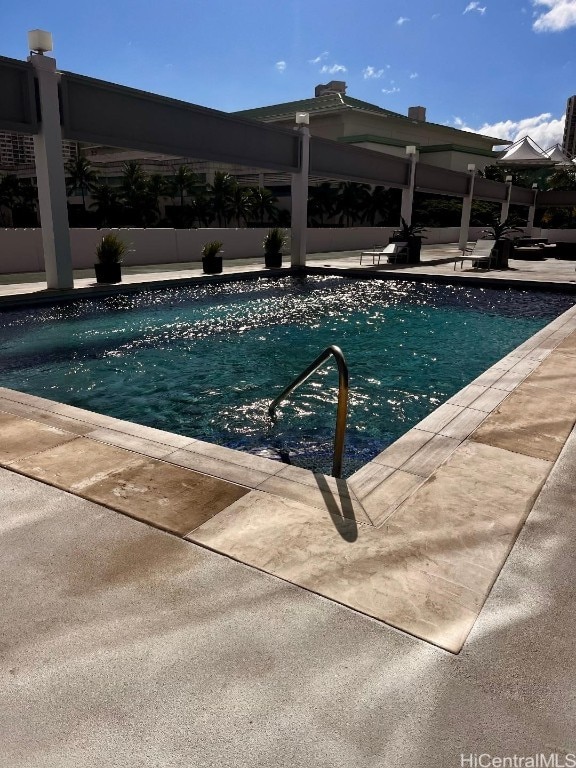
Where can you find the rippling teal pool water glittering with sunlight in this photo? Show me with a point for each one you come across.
(207, 360)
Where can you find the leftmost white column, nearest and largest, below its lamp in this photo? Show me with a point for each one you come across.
(51, 181)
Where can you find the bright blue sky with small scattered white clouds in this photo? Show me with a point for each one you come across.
(504, 67)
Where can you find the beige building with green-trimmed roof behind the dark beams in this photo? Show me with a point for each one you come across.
(335, 115)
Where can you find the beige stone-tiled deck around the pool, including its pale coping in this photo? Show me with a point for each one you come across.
(416, 538)
